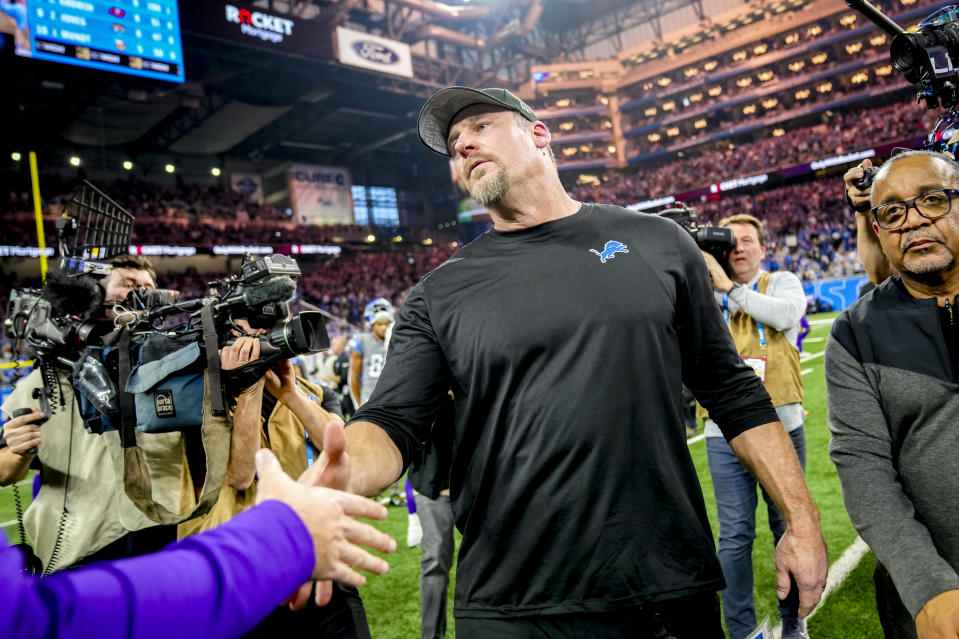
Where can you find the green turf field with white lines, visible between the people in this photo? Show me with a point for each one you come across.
(392, 601)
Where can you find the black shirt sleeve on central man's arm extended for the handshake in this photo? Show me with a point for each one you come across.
(415, 379)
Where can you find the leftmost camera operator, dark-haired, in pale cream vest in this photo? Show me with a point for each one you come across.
(80, 513)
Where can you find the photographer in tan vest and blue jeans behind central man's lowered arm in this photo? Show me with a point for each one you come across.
(763, 311)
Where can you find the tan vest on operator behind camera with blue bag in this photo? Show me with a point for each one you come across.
(287, 441)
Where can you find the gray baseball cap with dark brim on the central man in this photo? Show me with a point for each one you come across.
(433, 124)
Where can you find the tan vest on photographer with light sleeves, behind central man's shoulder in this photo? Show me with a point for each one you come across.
(783, 379)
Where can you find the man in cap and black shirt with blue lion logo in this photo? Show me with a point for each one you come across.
(578, 518)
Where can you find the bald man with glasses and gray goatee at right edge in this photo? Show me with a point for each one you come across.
(892, 375)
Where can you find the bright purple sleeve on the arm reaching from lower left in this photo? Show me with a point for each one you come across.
(217, 584)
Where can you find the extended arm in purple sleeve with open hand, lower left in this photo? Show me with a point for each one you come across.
(216, 584)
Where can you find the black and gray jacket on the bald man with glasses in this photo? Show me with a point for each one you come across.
(894, 417)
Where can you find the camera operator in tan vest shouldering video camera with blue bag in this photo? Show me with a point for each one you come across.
(287, 414)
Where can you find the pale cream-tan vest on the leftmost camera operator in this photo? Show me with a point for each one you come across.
(79, 465)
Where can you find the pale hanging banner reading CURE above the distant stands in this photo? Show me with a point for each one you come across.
(321, 194)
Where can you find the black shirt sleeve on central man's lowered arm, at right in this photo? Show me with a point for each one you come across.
(712, 367)
